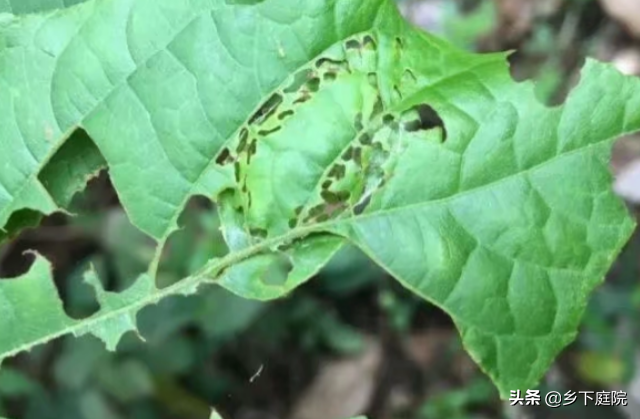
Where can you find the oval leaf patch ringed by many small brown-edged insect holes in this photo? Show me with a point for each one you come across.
(335, 101)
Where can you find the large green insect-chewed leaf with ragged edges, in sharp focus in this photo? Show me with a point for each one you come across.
(310, 127)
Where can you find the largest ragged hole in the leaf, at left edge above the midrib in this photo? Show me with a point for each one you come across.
(73, 244)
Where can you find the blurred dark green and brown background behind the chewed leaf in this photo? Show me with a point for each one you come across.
(351, 341)
